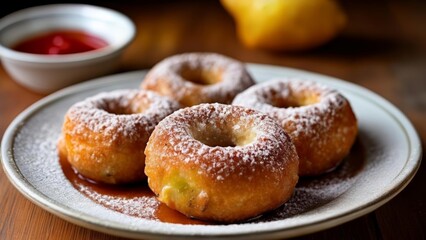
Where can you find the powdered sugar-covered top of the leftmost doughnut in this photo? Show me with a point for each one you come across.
(120, 114)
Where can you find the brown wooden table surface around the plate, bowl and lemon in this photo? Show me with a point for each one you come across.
(383, 49)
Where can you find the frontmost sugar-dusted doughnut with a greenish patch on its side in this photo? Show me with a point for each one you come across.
(221, 163)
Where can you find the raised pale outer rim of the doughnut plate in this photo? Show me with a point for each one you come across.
(152, 229)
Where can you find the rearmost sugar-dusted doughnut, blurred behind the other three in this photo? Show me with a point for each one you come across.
(194, 78)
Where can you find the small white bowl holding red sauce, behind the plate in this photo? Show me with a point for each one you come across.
(46, 73)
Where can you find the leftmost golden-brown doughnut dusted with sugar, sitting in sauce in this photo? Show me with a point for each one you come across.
(104, 136)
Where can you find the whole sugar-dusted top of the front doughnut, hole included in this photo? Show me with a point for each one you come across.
(190, 131)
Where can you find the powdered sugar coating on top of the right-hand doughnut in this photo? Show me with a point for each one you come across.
(263, 96)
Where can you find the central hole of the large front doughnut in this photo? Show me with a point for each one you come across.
(228, 135)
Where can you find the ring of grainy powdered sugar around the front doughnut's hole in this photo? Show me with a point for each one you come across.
(221, 167)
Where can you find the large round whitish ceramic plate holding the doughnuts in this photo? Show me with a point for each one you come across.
(391, 147)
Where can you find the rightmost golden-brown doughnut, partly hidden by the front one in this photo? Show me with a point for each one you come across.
(319, 120)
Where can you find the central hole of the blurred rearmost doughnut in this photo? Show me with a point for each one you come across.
(200, 76)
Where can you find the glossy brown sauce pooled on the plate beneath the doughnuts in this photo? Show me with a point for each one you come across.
(139, 201)
